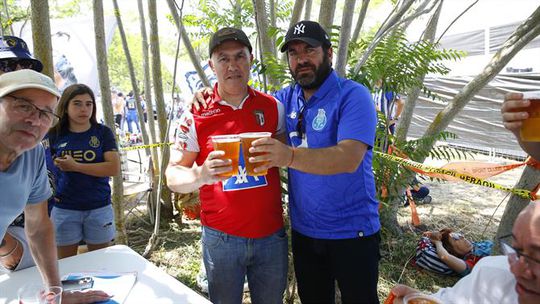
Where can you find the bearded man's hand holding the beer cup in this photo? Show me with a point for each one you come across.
(277, 154)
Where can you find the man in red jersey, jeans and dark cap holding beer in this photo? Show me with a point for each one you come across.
(242, 217)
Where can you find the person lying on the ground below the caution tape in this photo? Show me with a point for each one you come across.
(449, 252)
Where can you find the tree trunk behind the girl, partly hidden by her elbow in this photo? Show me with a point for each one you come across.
(105, 88)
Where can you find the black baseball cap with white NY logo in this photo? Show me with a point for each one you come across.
(309, 32)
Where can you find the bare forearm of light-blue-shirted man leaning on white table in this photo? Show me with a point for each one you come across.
(43, 248)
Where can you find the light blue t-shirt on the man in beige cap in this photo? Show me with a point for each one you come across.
(24, 182)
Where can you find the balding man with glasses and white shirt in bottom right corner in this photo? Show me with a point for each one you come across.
(513, 278)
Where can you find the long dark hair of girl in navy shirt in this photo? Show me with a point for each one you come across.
(69, 93)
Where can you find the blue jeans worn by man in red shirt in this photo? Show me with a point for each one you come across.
(229, 258)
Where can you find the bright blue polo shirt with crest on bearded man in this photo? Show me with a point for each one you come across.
(342, 205)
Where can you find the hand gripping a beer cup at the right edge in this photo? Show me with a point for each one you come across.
(514, 111)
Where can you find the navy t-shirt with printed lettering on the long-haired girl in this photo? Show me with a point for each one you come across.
(79, 191)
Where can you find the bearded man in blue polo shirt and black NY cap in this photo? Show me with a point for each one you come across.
(331, 125)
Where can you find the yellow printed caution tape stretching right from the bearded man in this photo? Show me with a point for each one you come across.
(464, 177)
